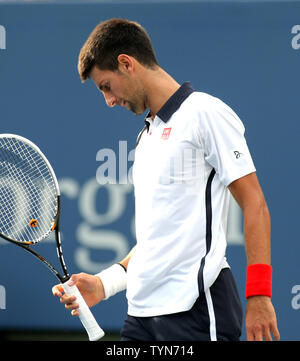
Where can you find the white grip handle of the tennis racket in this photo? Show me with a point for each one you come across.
(93, 330)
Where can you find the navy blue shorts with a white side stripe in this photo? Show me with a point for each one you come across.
(218, 317)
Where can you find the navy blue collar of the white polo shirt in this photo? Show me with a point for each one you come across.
(173, 103)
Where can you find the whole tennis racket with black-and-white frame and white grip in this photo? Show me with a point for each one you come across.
(30, 210)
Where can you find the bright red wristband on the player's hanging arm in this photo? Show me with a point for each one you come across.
(259, 280)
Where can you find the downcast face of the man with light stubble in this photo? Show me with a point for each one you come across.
(119, 88)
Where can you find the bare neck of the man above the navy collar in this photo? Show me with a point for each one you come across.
(159, 87)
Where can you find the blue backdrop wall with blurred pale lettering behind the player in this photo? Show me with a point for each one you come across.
(243, 52)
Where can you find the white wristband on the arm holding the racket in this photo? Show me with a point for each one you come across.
(114, 280)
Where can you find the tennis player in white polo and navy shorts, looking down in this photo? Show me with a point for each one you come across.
(190, 155)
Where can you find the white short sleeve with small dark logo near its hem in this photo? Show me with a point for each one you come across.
(222, 136)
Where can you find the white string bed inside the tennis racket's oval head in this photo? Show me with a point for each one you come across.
(27, 192)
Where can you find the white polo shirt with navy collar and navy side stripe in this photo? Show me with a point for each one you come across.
(185, 159)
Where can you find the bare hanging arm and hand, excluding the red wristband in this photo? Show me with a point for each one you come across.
(260, 314)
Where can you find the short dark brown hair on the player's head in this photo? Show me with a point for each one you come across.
(110, 39)
